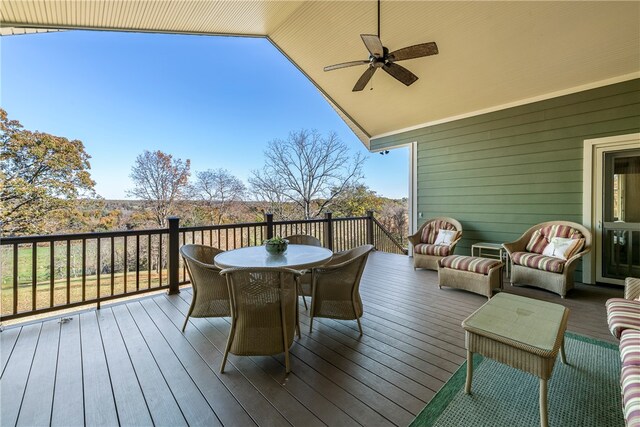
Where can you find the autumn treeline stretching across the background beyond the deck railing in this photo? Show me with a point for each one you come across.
(46, 187)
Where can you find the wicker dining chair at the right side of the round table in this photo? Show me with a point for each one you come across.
(335, 293)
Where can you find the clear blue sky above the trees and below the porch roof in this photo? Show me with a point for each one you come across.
(214, 100)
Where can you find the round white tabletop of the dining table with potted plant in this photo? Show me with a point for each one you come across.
(296, 256)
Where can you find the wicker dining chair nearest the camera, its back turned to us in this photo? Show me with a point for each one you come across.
(264, 312)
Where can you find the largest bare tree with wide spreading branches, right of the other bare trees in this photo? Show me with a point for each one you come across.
(307, 170)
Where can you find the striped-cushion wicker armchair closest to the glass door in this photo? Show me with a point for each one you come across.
(530, 267)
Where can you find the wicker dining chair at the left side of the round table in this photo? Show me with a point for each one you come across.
(210, 295)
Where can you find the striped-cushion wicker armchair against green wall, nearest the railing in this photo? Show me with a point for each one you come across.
(425, 253)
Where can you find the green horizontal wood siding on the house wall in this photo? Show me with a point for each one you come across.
(502, 172)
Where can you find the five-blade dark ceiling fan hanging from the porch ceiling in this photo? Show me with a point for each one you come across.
(380, 57)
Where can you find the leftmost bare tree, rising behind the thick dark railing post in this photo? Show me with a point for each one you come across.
(161, 180)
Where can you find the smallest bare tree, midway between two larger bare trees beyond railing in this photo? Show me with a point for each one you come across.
(218, 190)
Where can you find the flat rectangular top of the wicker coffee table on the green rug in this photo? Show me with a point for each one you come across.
(525, 320)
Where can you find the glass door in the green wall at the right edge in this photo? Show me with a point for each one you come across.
(620, 250)
